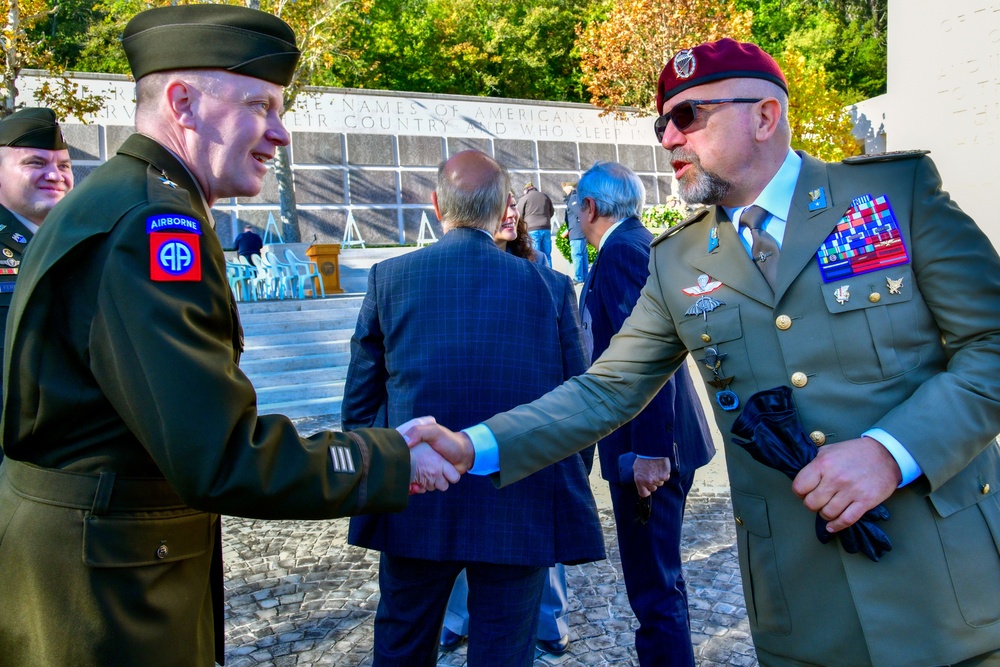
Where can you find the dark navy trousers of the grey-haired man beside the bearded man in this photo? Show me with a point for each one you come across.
(651, 564)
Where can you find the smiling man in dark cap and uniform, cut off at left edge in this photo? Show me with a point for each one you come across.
(35, 174)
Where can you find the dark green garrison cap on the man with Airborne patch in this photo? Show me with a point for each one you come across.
(237, 39)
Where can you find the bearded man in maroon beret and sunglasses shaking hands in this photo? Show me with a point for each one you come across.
(883, 317)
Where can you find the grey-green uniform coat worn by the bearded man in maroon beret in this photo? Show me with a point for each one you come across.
(923, 364)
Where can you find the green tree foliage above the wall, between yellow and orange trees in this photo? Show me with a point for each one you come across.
(471, 47)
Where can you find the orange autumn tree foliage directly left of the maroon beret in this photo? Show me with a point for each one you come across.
(622, 54)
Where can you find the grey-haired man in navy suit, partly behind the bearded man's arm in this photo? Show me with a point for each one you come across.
(649, 463)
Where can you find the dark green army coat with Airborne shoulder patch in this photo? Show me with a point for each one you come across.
(128, 427)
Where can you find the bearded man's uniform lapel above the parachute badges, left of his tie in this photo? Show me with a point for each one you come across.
(729, 261)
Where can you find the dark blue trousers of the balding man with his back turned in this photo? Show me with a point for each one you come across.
(503, 611)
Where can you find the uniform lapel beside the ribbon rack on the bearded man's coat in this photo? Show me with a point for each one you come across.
(806, 230)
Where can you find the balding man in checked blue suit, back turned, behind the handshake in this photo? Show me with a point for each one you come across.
(462, 318)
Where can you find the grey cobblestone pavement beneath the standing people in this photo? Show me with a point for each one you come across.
(297, 594)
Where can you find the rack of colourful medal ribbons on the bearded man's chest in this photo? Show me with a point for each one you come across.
(866, 239)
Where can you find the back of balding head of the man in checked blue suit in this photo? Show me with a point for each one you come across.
(471, 191)
